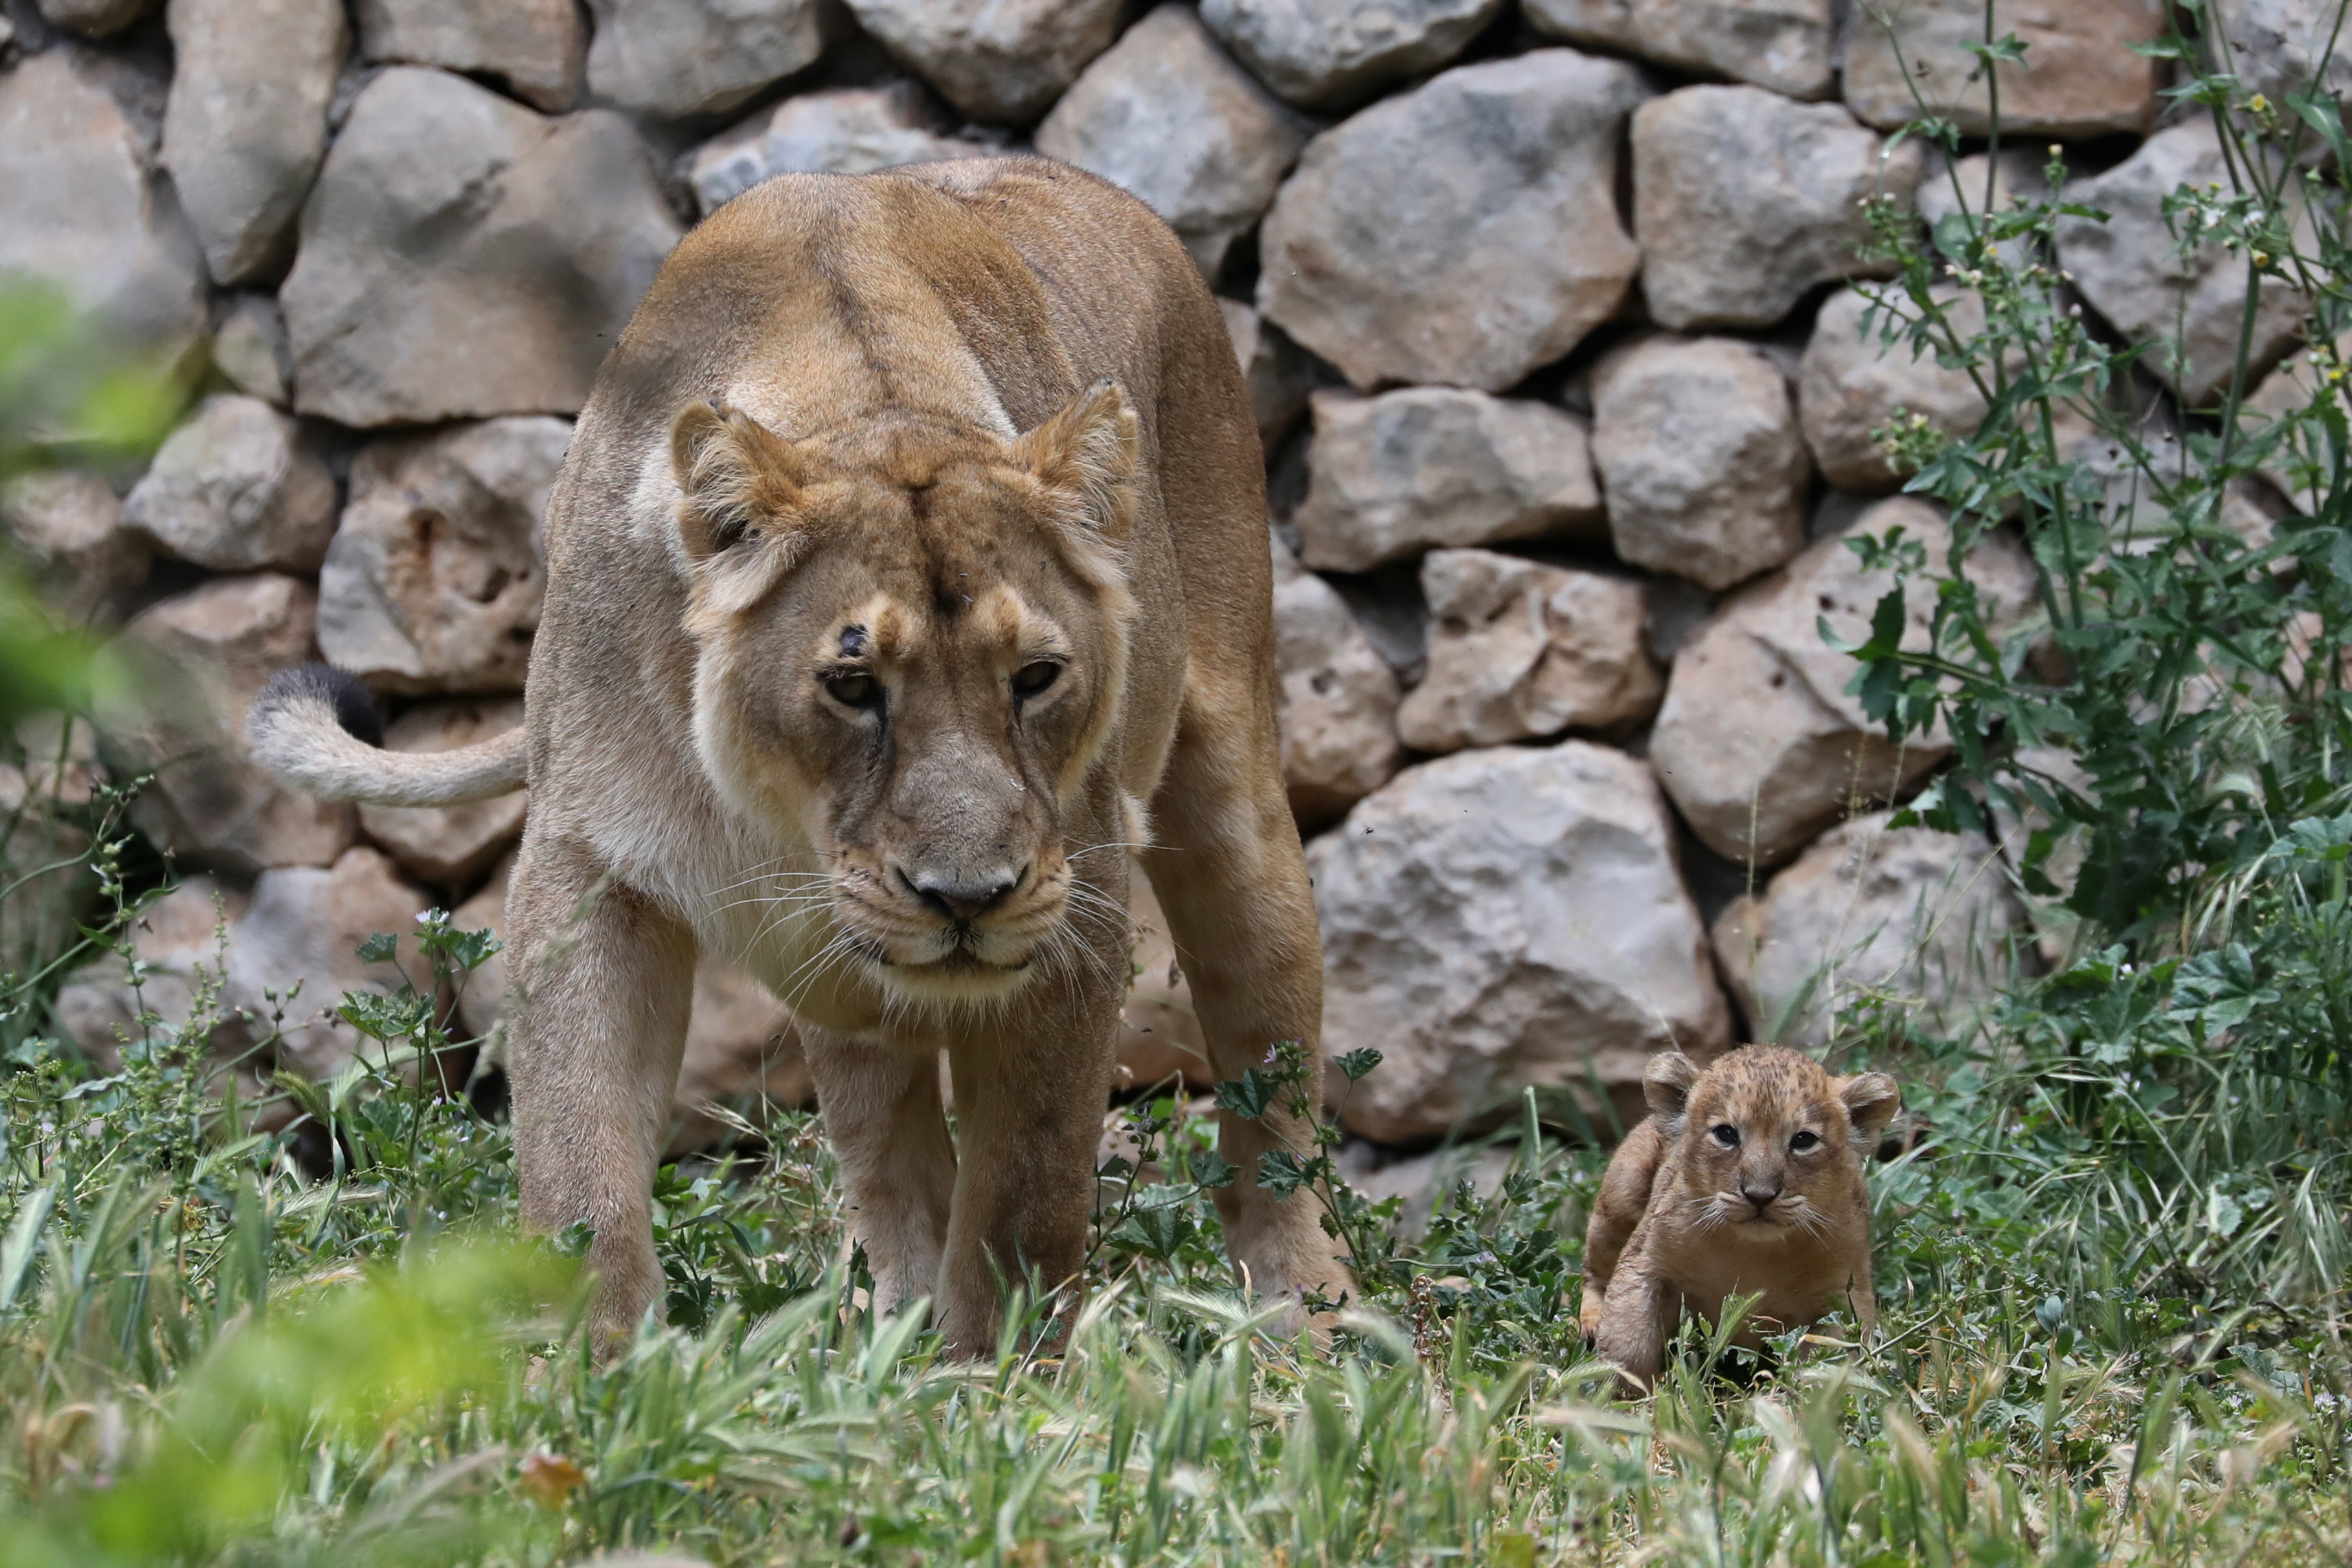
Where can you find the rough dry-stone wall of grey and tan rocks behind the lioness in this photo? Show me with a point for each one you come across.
(1546, 321)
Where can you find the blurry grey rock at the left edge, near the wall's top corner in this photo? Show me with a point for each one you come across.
(81, 213)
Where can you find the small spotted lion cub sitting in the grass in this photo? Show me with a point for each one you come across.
(1746, 1177)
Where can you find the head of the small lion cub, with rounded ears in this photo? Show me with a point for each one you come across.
(1770, 1141)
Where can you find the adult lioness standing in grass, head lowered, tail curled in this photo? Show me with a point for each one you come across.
(907, 570)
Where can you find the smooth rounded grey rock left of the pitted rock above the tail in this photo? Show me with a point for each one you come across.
(239, 488)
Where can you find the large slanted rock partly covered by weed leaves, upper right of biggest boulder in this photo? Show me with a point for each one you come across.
(1758, 742)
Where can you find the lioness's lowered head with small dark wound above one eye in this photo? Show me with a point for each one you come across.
(911, 650)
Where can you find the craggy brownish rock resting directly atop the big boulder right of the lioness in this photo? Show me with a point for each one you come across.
(1523, 650)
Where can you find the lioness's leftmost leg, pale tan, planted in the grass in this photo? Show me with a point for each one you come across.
(603, 984)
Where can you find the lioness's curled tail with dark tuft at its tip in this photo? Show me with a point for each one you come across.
(319, 728)
